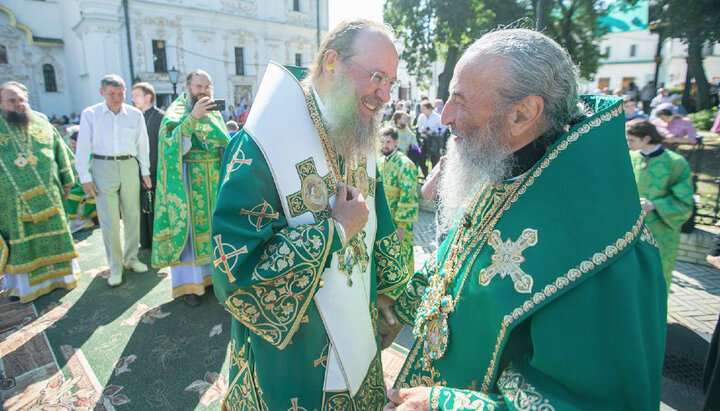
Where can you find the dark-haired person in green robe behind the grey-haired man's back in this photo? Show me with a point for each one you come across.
(665, 187)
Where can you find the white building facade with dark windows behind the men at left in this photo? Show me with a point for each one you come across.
(61, 48)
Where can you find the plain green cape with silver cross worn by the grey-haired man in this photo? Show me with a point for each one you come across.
(559, 300)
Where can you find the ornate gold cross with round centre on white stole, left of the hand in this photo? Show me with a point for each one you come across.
(314, 193)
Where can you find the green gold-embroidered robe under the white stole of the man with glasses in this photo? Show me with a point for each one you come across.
(266, 274)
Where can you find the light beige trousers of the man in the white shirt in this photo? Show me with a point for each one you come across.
(118, 183)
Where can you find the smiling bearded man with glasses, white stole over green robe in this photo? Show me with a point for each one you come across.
(306, 256)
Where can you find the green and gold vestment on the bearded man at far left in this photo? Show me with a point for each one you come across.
(36, 240)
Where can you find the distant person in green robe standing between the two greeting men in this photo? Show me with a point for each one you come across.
(400, 180)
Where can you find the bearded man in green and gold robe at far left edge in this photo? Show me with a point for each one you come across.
(37, 254)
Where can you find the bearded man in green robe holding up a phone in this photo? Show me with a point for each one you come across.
(191, 143)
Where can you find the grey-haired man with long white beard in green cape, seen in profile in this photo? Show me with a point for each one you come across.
(548, 292)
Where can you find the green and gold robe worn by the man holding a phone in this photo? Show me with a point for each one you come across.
(178, 209)
